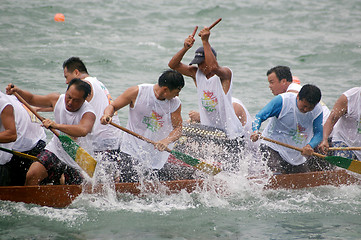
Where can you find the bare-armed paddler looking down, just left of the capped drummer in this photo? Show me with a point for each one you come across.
(155, 113)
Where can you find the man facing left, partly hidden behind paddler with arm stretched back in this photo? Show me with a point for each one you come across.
(105, 138)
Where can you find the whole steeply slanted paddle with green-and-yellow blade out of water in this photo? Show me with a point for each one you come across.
(80, 156)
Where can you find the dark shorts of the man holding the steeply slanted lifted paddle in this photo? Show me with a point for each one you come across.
(55, 168)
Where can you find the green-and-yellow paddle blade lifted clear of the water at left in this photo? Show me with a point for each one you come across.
(80, 156)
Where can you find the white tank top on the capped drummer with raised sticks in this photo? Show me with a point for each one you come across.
(215, 107)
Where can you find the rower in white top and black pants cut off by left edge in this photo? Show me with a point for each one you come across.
(19, 134)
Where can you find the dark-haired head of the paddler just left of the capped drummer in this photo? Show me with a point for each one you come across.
(172, 81)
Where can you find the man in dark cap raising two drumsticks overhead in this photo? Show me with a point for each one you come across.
(214, 86)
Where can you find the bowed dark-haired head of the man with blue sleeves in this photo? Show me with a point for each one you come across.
(308, 97)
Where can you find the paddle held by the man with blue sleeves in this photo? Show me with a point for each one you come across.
(349, 164)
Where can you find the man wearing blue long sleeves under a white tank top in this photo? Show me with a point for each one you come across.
(297, 121)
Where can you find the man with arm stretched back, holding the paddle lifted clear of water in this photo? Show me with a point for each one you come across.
(73, 116)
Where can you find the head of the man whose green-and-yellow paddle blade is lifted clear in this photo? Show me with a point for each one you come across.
(76, 94)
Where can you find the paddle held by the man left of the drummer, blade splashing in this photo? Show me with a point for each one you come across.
(205, 167)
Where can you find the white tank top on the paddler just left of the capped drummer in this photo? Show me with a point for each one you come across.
(150, 118)
